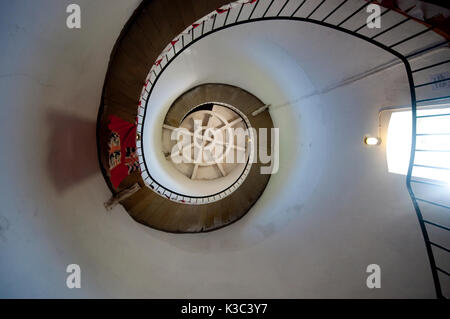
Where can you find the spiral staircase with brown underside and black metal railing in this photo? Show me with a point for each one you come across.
(160, 30)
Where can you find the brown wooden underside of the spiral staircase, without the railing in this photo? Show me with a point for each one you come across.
(152, 26)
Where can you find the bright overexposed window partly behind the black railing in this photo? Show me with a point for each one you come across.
(432, 157)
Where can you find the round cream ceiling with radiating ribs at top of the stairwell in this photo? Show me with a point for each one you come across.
(211, 143)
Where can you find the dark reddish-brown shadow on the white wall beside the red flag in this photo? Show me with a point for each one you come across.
(73, 154)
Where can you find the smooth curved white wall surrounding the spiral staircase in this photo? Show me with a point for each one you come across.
(331, 210)
